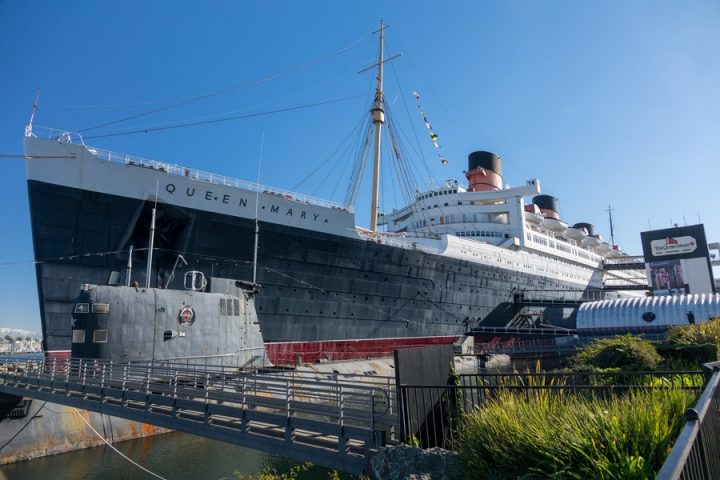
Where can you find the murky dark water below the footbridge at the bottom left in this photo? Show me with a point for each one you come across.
(173, 456)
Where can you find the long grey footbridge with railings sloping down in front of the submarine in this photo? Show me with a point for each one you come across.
(333, 420)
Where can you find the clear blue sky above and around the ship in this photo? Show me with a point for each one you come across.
(614, 102)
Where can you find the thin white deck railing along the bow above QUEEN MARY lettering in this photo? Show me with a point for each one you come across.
(174, 169)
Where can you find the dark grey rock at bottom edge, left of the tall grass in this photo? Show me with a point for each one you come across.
(403, 462)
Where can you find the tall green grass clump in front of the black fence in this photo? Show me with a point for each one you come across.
(550, 434)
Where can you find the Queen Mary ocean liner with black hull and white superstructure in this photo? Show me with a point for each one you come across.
(327, 288)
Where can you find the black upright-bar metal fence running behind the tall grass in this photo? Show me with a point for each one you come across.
(431, 414)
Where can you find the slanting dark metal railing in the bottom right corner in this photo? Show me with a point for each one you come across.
(696, 454)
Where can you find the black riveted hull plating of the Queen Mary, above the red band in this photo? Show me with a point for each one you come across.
(315, 286)
